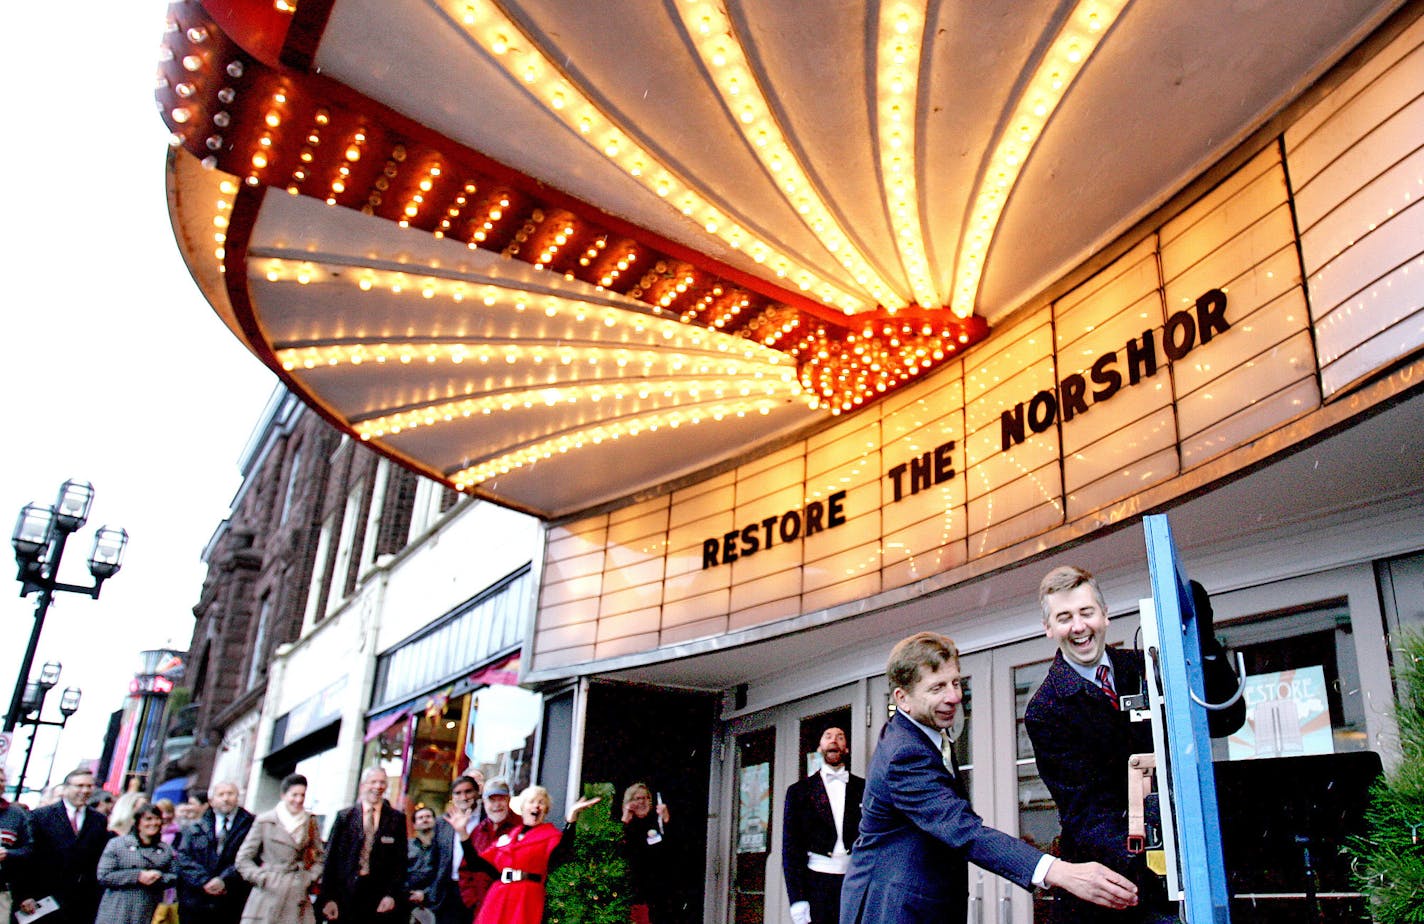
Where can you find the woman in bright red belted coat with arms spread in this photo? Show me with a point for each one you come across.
(523, 859)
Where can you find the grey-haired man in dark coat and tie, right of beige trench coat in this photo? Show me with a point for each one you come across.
(365, 878)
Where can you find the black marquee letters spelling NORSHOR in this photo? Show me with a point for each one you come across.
(1183, 332)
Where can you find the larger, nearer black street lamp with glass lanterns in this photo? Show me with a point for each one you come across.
(39, 542)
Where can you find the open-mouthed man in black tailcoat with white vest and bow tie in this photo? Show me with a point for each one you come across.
(822, 822)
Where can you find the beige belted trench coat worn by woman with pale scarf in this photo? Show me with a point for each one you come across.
(273, 862)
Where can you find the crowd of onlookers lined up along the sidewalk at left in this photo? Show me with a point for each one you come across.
(89, 858)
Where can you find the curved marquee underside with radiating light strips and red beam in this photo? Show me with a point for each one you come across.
(563, 254)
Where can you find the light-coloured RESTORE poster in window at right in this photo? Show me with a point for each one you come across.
(1288, 714)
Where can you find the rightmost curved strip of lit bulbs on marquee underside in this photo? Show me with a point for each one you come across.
(1069, 53)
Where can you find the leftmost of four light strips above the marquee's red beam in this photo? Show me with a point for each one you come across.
(495, 32)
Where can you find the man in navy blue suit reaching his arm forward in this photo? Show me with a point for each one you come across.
(918, 831)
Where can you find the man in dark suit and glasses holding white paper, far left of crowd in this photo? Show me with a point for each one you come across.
(68, 839)
